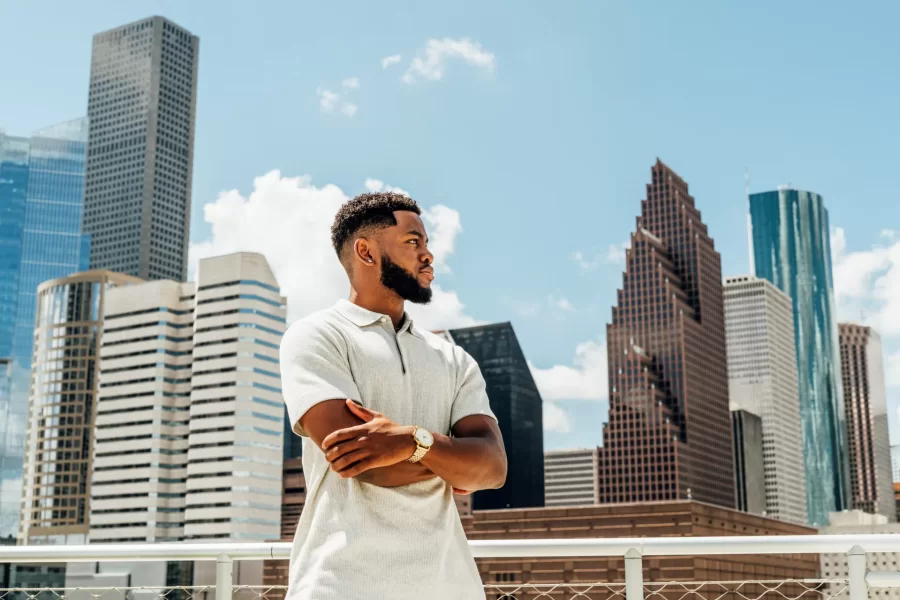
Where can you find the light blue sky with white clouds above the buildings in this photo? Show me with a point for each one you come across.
(527, 131)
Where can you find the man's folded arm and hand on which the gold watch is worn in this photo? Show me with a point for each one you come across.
(473, 459)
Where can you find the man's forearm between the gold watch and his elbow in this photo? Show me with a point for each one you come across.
(467, 463)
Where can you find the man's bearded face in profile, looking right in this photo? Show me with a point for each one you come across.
(405, 260)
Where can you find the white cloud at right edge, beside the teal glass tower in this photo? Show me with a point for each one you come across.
(868, 281)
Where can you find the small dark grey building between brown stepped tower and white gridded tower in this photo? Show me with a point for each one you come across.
(749, 473)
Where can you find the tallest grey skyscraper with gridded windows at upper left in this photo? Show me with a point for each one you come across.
(141, 105)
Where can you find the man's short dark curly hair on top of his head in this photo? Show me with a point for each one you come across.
(367, 211)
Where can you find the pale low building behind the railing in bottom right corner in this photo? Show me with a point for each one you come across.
(834, 566)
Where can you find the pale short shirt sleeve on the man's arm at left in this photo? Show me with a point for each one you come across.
(315, 367)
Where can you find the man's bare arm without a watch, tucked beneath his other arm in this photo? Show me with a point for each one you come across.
(326, 417)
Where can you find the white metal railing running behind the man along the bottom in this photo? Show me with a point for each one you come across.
(633, 550)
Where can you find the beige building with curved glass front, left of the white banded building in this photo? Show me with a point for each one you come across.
(56, 487)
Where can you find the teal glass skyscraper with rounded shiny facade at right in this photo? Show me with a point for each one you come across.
(791, 249)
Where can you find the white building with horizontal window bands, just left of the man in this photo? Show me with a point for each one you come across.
(192, 371)
